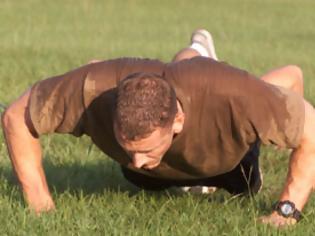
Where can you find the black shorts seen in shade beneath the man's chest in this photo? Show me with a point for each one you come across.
(243, 178)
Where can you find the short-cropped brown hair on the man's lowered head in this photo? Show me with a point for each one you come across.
(145, 101)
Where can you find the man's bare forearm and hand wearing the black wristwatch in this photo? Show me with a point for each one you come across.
(301, 176)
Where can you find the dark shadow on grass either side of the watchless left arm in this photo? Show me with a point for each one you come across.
(87, 178)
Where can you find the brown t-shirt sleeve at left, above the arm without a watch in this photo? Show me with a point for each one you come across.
(56, 104)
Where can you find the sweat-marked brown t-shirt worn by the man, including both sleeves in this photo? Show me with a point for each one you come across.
(226, 111)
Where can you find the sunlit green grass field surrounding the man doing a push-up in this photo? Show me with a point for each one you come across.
(44, 38)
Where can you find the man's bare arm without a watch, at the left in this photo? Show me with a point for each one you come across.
(25, 153)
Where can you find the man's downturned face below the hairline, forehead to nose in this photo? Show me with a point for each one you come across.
(147, 153)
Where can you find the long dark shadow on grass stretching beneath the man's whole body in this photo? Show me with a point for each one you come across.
(97, 177)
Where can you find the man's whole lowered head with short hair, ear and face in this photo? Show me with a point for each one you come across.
(146, 118)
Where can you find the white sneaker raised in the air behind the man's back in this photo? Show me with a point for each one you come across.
(203, 37)
